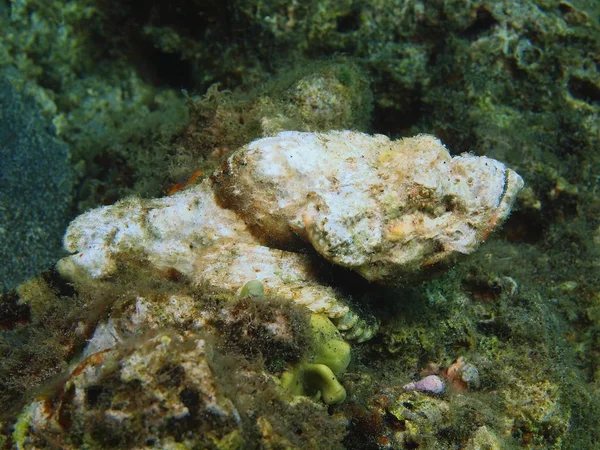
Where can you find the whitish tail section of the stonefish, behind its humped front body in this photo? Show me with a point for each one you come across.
(168, 232)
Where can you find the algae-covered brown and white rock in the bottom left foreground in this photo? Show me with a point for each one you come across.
(171, 390)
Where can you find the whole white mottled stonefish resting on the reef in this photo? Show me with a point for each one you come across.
(387, 210)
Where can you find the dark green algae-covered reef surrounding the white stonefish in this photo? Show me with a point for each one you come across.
(102, 100)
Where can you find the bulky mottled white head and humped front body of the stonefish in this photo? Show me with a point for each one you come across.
(386, 209)
